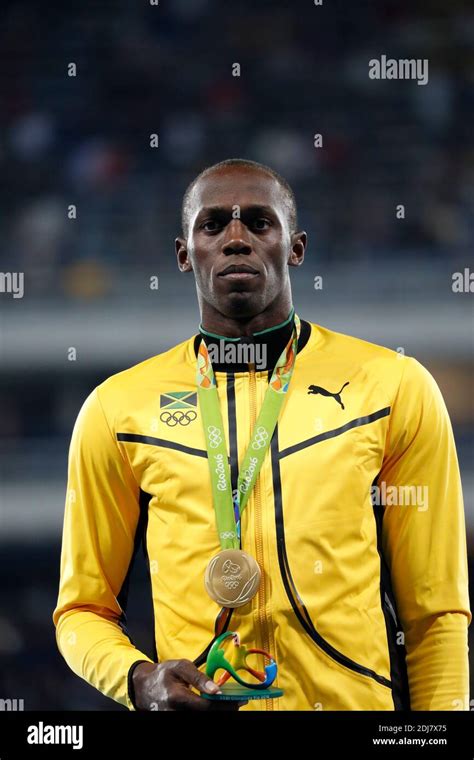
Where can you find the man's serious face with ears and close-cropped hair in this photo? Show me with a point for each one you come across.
(239, 244)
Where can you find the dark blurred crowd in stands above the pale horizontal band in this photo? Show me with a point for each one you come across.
(141, 69)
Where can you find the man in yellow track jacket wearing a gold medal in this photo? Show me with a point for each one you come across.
(362, 594)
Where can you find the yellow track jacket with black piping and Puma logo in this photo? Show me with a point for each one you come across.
(356, 521)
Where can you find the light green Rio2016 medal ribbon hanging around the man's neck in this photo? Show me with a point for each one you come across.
(229, 507)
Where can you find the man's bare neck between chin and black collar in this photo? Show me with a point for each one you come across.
(219, 325)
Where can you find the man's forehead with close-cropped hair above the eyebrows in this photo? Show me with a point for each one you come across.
(237, 186)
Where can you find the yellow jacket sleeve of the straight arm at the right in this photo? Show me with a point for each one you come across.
(425, 543)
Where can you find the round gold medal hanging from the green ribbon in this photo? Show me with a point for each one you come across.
(232, 578)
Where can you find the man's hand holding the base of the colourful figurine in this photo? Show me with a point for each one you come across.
(165, 686)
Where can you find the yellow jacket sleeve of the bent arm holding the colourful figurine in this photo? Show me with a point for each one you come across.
(100, 522)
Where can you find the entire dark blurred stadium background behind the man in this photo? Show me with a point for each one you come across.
(143, 69)
